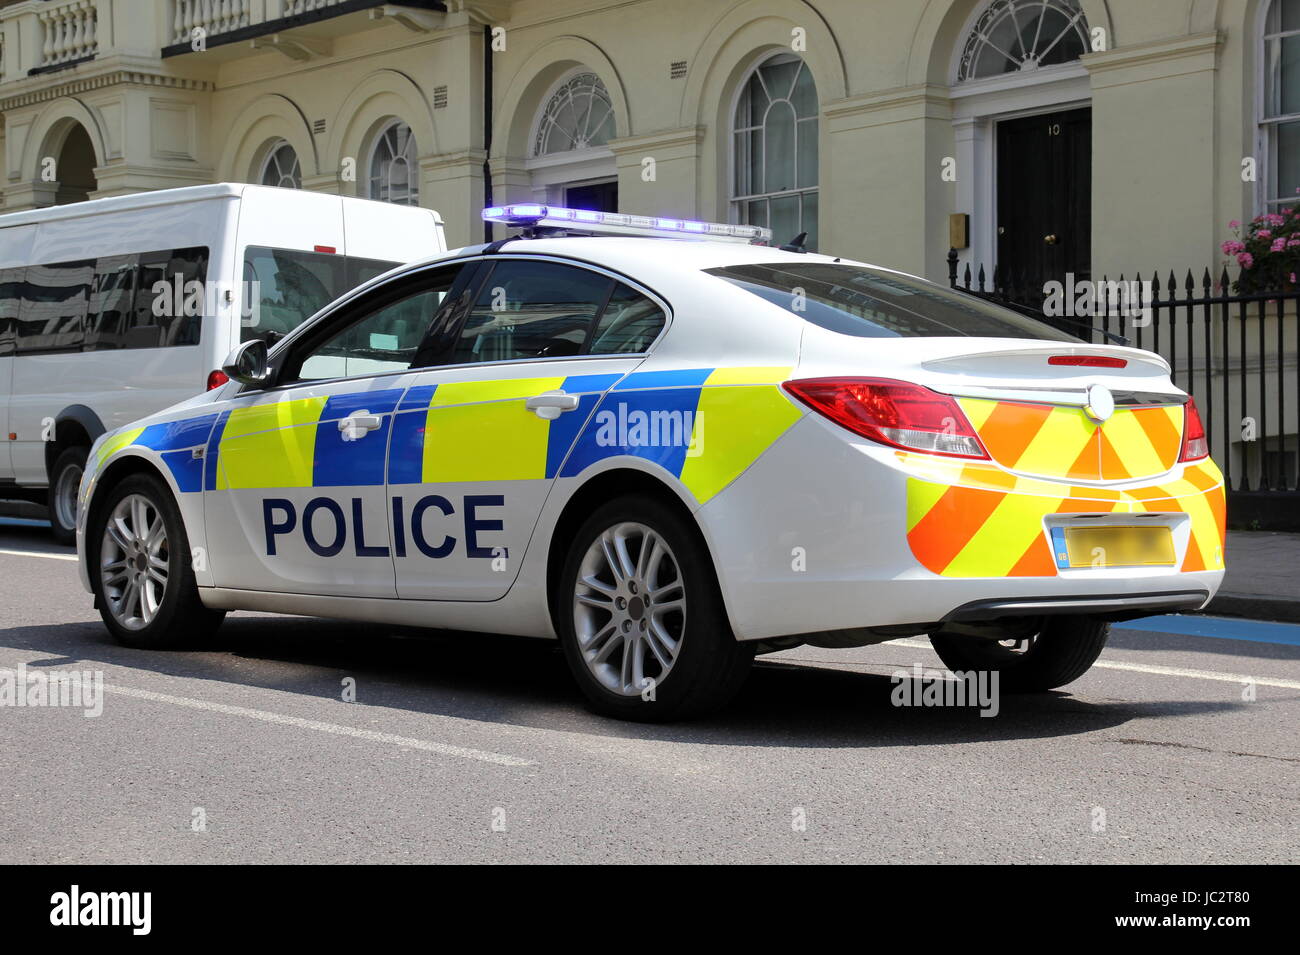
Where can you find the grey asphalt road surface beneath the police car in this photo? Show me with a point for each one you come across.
(478, 749)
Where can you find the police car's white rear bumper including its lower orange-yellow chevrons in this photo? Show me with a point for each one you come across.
(855, 536)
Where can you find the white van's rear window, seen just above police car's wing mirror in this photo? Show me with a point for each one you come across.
(285, 288)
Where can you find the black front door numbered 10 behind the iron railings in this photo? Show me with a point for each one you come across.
(1045, 199)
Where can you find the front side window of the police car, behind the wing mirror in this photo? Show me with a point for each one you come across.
(379, 340)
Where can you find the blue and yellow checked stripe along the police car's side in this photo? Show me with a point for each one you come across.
(704, 426)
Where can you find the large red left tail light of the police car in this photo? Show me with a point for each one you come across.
(892, 413)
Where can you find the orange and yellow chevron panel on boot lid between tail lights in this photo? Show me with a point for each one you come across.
(1063, 442)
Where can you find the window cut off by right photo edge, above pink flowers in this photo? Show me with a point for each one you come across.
(1280, 123)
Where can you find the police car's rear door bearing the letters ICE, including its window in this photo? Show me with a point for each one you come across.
(486, 428)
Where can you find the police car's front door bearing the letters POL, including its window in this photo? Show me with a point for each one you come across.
(296, 485)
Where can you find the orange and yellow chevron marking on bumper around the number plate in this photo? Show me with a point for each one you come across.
(974, 520)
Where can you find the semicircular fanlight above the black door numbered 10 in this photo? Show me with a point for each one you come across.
(1019, 36)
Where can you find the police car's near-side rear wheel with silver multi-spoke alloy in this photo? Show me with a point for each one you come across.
(642, 619)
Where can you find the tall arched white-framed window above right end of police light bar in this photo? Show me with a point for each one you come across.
(775, 150)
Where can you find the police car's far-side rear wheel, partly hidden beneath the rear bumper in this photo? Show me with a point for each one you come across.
(1043, 657)
